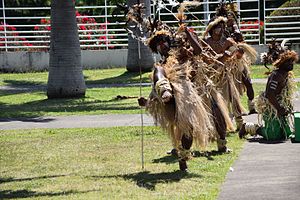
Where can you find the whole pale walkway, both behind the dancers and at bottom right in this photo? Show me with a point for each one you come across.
(262, 171)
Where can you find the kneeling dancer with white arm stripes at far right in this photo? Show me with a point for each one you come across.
(275, 104)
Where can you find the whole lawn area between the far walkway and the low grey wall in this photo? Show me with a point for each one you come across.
(32, 102)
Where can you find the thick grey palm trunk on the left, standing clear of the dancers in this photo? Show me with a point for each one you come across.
(65, 70)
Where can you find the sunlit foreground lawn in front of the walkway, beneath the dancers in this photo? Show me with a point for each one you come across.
(105, 163)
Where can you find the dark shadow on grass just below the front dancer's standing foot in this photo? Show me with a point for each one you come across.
(149, 180)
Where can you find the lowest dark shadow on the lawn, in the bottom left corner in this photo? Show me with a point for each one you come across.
(13, 194)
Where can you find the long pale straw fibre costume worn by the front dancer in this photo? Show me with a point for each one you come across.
(188, 114)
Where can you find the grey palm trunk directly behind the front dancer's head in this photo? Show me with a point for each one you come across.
(139, 55)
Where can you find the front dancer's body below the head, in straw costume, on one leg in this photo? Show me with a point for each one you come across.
(176, 105)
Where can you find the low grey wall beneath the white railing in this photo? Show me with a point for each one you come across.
(23, 61)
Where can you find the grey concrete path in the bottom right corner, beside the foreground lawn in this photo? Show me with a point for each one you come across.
(264, 172)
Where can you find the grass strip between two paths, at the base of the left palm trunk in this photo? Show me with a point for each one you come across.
(97, 101)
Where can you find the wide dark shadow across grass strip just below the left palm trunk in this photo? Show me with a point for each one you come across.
(35, 109)
